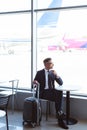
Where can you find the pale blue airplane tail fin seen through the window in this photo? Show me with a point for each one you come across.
(50, 19)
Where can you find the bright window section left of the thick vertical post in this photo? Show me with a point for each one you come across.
(15, 42)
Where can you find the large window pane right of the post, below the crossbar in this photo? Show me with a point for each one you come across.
(62, 35)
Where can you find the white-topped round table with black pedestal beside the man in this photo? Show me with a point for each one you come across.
(69, 120)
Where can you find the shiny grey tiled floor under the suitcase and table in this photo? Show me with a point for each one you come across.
(15, 123)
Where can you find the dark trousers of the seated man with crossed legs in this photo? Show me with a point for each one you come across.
(53, 95)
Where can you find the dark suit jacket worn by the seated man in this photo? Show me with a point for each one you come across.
(40, 77)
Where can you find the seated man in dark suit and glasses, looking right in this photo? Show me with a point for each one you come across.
(46, 78)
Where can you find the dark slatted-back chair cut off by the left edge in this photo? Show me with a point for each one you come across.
(4, 100)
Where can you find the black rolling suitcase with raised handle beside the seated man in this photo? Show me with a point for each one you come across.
(32, 109)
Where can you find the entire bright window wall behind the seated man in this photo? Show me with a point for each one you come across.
(61, 34)
